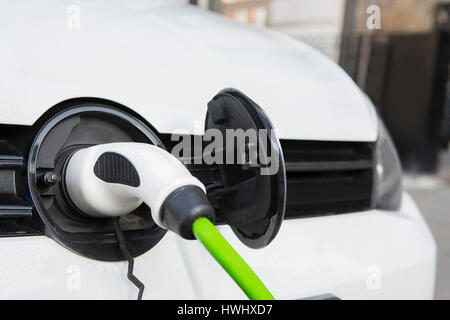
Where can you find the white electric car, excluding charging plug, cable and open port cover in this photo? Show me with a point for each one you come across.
(80, 73)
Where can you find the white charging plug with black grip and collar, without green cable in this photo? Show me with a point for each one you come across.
(111, 180)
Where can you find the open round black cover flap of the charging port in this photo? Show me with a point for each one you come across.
(253, 198)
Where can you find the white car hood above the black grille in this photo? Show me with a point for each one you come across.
(166, 60)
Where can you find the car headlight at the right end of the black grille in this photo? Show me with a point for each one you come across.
(388, 172)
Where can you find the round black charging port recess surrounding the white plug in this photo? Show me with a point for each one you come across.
(79, 126)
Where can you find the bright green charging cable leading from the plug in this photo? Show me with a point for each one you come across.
(230, 260)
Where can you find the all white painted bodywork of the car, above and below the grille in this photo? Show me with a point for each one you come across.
(165, 60)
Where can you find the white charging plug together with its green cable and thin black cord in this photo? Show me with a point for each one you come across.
(114, 179)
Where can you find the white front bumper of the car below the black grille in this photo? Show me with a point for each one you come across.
(366, 255)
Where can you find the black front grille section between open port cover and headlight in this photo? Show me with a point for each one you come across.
(327, 177)
